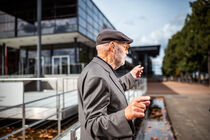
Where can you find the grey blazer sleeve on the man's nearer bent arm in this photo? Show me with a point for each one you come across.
(98, 122)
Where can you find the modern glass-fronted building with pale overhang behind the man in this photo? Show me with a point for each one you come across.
(69, 30)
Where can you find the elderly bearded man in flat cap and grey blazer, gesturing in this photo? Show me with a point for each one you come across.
(103, 109)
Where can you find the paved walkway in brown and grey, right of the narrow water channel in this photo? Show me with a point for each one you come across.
(188, 107)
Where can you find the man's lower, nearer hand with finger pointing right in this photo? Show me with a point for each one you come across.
(137, 107)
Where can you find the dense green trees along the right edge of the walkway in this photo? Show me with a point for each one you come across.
(187, 50)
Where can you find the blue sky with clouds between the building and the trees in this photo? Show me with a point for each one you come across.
(148, 22)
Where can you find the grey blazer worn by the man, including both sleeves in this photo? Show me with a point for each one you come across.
(102, 101)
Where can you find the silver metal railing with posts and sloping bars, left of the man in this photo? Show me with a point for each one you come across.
(59, 109)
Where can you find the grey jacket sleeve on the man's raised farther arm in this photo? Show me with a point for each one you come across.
(127, 81)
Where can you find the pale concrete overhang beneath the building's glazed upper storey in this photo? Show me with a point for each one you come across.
(60, 38)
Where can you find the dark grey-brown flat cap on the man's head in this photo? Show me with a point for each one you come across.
(108, 35)
